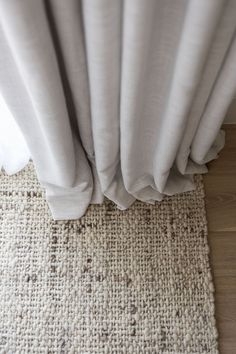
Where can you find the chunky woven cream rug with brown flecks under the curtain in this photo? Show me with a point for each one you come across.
(134, 281)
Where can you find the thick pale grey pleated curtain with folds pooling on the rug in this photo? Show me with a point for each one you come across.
(122, 99)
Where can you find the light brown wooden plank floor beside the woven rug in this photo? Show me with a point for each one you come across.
(220, 187)
